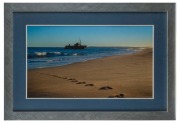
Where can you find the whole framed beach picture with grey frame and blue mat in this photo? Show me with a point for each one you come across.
(89, 61)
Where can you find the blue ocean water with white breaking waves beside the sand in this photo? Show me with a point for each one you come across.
(42, 57)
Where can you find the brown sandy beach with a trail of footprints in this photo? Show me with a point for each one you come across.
(123, 76)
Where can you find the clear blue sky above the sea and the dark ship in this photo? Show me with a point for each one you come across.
(59, 36)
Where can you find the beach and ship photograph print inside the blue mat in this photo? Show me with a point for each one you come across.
(89, 61)
